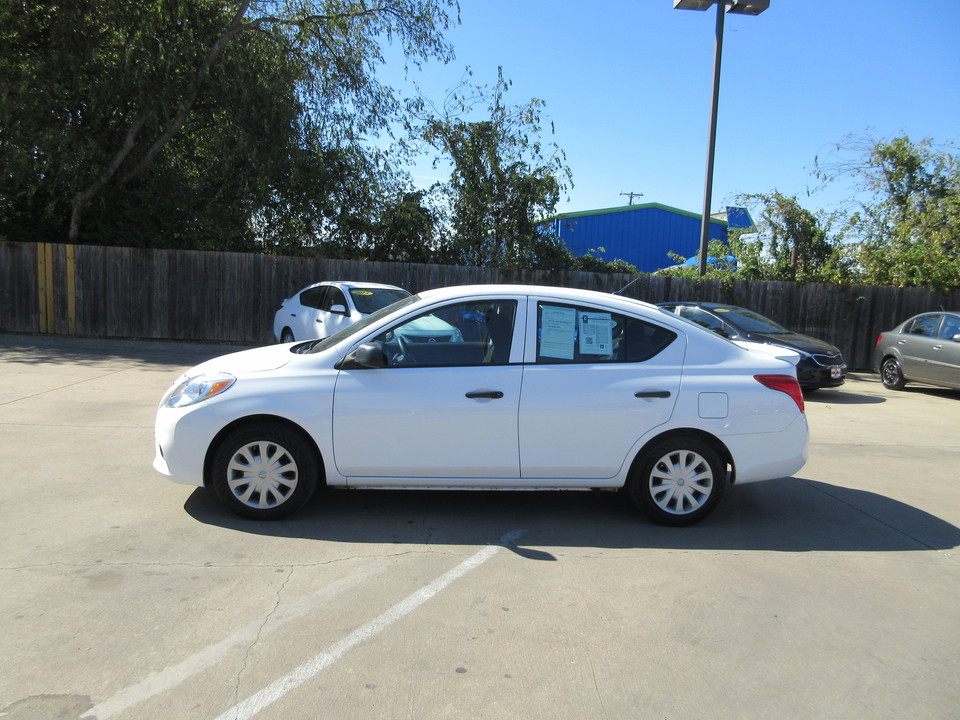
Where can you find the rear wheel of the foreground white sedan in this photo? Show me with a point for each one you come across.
(678, 481)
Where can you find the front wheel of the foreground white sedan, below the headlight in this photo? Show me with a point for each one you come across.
(264, 472)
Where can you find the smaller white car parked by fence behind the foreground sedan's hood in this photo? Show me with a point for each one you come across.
(324, 308)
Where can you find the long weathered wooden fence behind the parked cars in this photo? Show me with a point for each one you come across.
(218, 297)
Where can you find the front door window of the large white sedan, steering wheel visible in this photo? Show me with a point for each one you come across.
(460, 334)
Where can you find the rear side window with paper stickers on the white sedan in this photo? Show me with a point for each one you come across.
(578, 334)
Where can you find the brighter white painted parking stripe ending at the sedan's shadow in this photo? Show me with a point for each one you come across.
(294, 679)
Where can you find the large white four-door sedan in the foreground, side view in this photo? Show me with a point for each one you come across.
(539, 388)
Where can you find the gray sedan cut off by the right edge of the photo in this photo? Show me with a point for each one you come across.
(925, 348)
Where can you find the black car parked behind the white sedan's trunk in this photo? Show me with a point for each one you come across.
(821, 364)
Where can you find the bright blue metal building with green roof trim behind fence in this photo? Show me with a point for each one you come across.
(641, 235)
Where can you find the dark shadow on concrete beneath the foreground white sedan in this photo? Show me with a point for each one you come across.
(787, 515)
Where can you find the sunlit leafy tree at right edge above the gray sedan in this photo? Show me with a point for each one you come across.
(908, 221)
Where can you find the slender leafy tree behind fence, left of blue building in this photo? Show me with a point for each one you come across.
(504, 180)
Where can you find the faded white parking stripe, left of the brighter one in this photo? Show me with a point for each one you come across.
(168, 678)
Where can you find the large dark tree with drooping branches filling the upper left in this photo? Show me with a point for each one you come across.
(106, 101)
